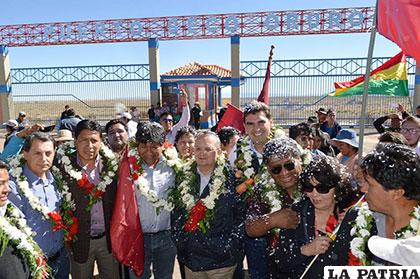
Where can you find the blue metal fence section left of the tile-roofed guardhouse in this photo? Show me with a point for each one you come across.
(93, 91)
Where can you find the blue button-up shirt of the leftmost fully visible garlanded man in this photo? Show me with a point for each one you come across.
(50, 242)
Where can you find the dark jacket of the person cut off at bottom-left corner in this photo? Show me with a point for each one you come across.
(12, 266)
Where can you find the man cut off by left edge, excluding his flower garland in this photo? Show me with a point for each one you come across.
(11, 264)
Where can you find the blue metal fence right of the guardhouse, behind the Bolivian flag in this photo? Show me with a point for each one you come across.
(299, 87)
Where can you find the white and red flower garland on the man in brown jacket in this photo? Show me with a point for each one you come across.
(94, 192)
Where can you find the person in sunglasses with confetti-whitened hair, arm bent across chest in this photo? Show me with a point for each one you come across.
(276, 191)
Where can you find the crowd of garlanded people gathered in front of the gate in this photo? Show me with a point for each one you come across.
(209, 200)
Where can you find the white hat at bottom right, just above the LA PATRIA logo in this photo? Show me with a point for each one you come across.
(399, 251)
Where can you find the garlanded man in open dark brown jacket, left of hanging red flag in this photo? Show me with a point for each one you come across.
(90, 171)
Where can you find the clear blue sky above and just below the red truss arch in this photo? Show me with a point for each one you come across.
(177, 53)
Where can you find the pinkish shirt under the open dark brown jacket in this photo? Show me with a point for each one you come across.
(97, 225)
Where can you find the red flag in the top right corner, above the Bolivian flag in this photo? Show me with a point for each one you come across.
(399, 21)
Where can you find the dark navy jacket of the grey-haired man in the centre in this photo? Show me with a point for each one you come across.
(221, 245)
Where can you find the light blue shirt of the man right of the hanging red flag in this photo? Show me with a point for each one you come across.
(160, 179)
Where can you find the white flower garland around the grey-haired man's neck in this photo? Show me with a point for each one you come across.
(218, 180)
